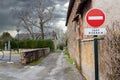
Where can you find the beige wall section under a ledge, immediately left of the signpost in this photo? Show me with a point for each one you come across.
(87, 58)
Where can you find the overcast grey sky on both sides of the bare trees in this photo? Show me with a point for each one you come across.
(8, 23)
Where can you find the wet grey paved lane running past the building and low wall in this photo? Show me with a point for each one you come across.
(53, 67)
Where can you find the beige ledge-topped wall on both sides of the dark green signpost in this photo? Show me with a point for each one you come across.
(87, 59)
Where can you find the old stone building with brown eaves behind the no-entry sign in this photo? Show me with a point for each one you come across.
(80, 46)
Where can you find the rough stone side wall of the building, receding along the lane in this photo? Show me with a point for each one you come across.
(73, 40)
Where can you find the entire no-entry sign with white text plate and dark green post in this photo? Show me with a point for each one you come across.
(95, 18)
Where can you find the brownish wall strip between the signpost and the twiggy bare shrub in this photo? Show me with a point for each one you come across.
(103, 68)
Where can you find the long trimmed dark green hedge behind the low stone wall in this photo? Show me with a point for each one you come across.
(32, 44)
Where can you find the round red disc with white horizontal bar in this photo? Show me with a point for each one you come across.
(95, 17)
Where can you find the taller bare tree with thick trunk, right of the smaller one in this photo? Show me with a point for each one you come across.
(44, 14)
